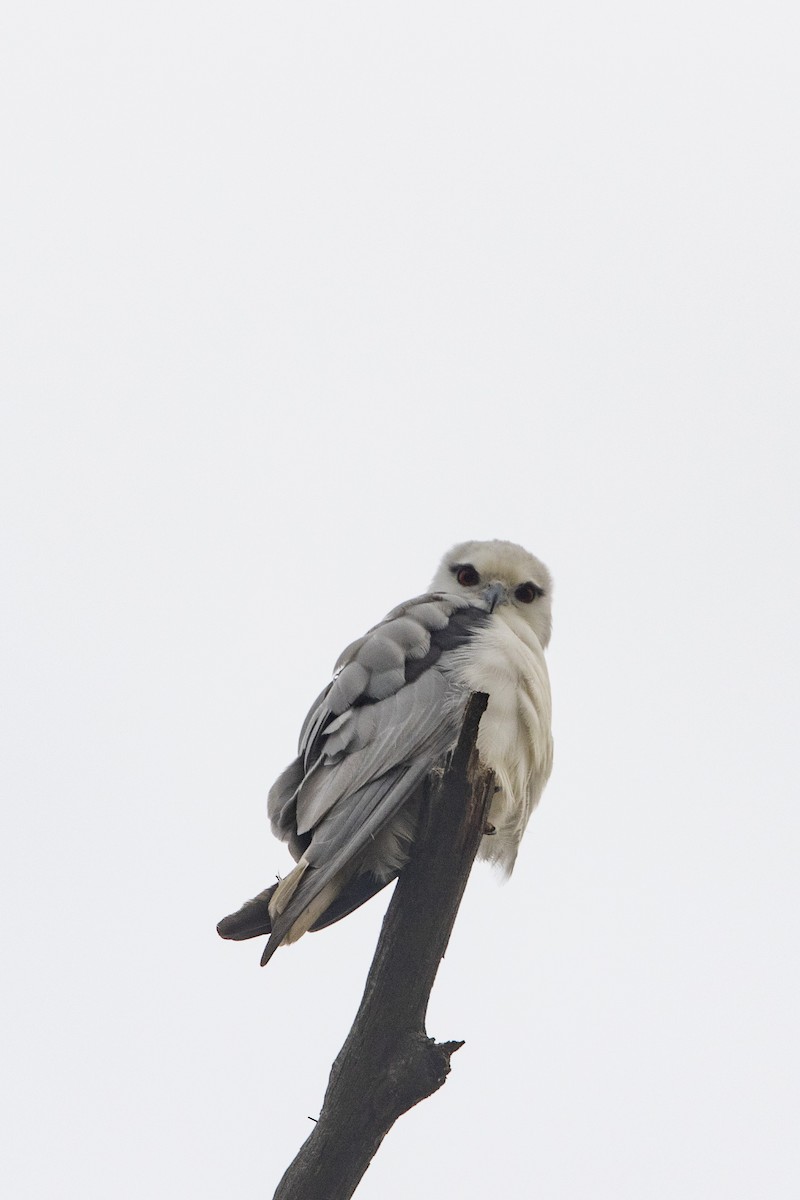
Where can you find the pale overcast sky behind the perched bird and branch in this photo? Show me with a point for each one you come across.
(296, 297)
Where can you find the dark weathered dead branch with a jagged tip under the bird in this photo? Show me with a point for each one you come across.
(388, 1063)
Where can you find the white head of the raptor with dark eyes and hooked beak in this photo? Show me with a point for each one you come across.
(502, 578)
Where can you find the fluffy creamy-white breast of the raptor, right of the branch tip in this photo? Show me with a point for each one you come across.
(507, 661)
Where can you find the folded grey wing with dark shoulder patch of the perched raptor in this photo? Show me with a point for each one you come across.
(388, 718)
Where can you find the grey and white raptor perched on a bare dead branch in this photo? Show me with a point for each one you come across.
(348, 805)
